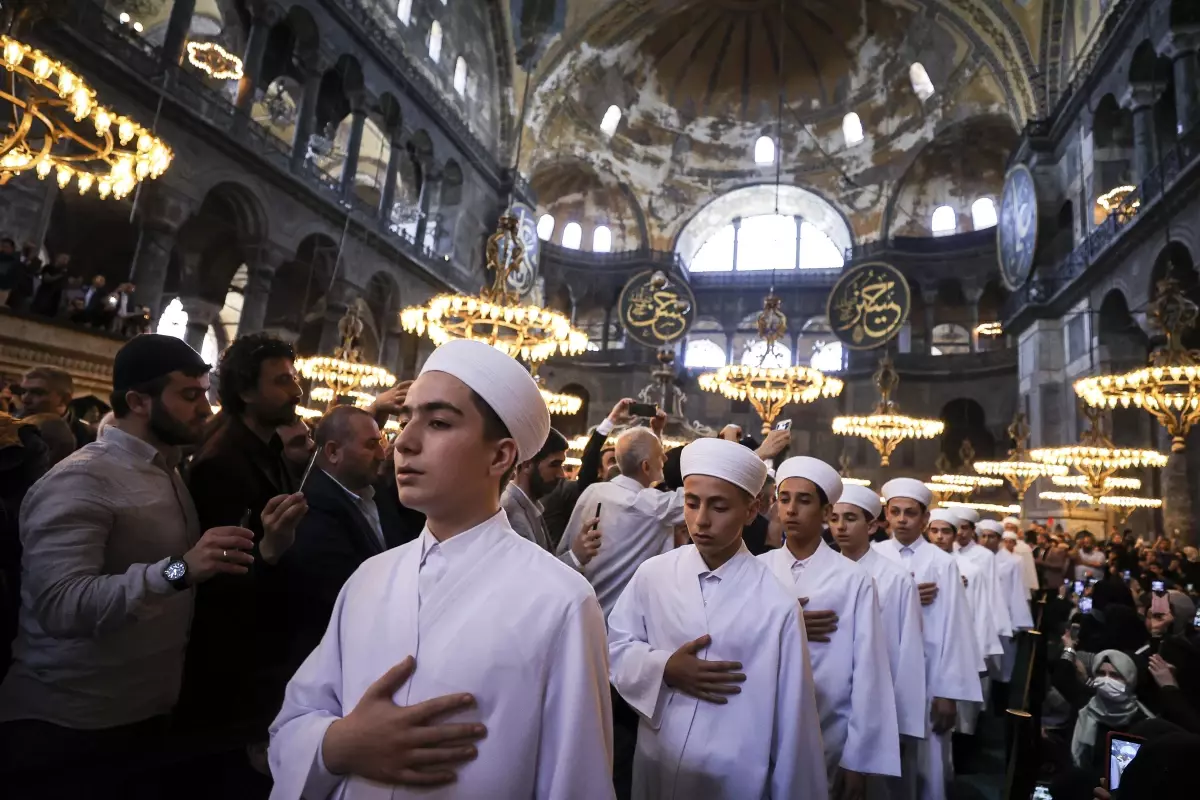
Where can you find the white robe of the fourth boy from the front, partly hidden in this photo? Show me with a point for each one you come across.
(901, 613)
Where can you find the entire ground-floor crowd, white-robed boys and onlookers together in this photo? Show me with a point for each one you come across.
(242, 606)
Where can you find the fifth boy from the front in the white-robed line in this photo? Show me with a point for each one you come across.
(952, 657)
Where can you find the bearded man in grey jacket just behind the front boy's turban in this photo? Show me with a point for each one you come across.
(523, 497)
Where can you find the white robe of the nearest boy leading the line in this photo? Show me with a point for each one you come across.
(506, 622)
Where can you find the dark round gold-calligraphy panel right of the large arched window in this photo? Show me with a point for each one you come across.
(869, 305)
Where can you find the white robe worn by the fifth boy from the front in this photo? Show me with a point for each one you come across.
(952, 657)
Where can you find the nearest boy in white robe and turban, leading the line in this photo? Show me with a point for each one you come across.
(467, 664)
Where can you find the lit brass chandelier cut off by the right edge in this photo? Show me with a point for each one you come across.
(1169, 388)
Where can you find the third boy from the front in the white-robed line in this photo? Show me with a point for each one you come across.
(850, 667)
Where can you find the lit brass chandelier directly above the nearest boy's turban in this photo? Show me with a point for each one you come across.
(497, 316)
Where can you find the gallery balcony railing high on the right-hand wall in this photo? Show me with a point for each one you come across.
(1049, 284)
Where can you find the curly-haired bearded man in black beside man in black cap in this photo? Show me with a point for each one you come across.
(237, 655)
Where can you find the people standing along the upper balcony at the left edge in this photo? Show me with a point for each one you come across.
(55, 290)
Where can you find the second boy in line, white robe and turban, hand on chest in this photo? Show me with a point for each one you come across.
(710, 651)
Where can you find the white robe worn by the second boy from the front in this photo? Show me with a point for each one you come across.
(766, 742)
